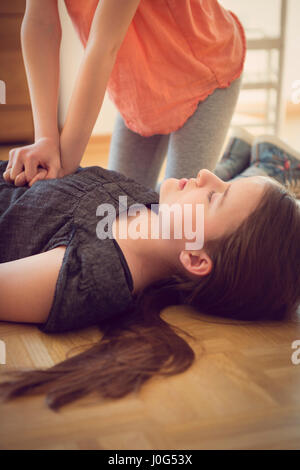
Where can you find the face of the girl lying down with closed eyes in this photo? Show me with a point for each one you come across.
(225, 204)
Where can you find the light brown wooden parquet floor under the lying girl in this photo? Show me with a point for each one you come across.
(243, 392)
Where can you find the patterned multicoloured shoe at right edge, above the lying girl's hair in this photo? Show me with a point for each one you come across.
(278, 160)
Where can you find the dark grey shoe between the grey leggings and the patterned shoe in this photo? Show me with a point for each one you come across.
(236, 156)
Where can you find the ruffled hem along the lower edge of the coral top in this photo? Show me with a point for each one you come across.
(131, 125)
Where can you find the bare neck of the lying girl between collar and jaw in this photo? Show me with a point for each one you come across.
(147, 258)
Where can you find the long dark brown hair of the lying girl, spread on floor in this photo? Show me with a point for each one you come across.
(255, 276)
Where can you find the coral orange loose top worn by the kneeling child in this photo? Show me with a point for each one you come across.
(175, 53)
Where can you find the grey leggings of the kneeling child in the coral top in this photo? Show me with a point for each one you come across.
(196, 145)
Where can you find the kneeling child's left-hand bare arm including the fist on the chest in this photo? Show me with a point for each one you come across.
(40, 40)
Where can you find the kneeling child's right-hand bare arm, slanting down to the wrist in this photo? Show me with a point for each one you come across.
(110, 24)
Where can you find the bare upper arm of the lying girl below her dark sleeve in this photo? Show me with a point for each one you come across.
(27, 286)
